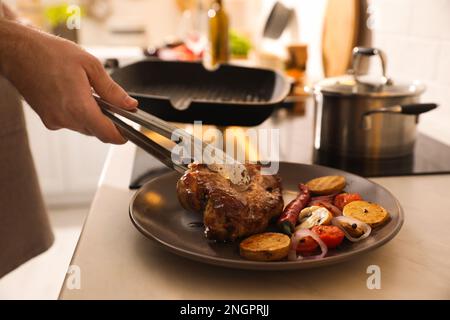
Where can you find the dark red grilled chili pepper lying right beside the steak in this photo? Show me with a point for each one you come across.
(288, 219)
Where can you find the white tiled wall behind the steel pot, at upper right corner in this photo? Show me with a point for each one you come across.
(415, 36)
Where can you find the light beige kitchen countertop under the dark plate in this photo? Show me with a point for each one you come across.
(117, 262)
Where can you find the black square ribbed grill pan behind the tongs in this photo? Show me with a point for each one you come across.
(186, 92)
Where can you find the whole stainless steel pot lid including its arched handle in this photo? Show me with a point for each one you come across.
(367, 85)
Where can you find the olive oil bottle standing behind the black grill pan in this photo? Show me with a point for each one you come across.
(217, 50)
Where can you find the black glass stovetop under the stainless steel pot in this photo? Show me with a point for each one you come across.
(296, 145)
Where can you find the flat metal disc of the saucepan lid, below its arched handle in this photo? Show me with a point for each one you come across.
(348, 85)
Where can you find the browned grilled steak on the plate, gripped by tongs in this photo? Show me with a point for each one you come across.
(230, 211)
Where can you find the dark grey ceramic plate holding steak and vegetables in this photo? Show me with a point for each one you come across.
(156, 213)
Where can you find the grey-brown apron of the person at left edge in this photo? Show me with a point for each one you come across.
(24, 226)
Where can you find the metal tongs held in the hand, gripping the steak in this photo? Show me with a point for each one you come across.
(229, 168)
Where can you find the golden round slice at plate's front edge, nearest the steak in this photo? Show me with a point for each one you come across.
(269, 246)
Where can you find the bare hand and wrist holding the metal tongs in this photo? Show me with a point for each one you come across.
(55, 77)
